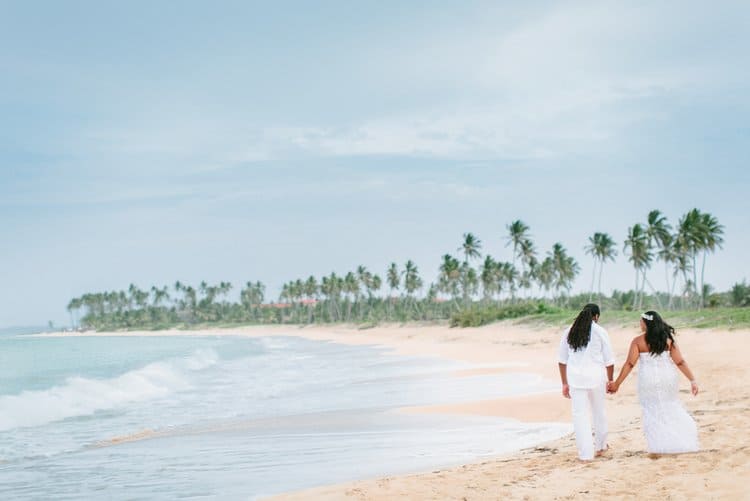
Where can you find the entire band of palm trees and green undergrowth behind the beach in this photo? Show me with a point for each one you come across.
(530, 287)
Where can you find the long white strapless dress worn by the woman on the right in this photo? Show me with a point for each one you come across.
(668, 427)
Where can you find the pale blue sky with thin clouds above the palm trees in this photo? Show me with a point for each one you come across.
(149, 141)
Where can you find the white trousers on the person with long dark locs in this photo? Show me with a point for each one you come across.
(585, 401)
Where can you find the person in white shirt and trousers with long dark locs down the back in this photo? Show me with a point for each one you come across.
(586, 364)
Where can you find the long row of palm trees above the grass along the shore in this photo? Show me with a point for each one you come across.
(462, 279)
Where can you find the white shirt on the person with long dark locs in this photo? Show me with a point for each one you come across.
(586, 366)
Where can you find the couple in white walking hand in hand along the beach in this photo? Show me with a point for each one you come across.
(587, 368)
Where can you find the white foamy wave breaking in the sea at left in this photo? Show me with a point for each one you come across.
(81, 396)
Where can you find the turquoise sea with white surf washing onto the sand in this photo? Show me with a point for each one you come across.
(230, 417)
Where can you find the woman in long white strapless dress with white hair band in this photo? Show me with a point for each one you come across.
(669, 429)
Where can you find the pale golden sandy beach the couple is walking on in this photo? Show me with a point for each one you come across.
(551, 470)
